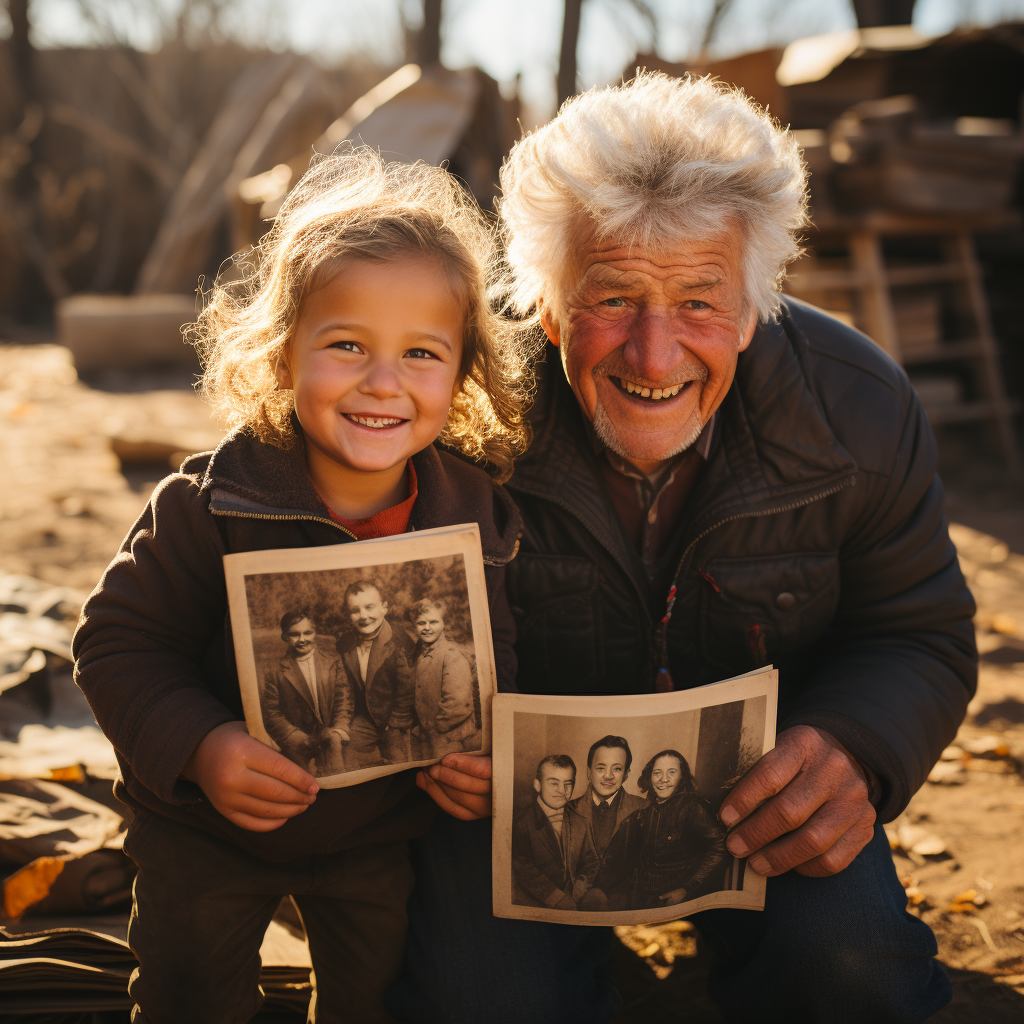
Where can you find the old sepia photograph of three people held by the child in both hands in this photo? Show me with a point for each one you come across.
(363, 660)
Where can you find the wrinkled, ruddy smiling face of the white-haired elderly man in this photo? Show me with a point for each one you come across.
(650, 342)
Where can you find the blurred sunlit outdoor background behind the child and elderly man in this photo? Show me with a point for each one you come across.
(145, 142)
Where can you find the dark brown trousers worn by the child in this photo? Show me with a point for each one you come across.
(202, 907)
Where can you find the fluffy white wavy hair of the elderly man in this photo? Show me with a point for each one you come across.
(650, 163)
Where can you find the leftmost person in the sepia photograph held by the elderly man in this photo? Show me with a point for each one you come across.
(554, 862)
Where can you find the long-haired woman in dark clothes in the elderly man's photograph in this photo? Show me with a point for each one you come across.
(663, 852)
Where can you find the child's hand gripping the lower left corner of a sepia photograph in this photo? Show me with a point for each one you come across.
(252, 786)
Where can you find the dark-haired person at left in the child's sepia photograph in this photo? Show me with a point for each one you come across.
(308, 703)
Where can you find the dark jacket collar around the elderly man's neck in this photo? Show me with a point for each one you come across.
(776, 450)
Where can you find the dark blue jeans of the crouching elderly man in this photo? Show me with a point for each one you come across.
(836, 951)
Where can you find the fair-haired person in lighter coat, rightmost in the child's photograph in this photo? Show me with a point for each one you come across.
(445, 707)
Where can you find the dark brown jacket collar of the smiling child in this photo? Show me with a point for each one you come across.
(249, 479)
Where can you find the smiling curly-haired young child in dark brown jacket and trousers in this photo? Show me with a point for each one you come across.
(360, 335)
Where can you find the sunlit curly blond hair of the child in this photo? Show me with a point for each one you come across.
(354, 206)
